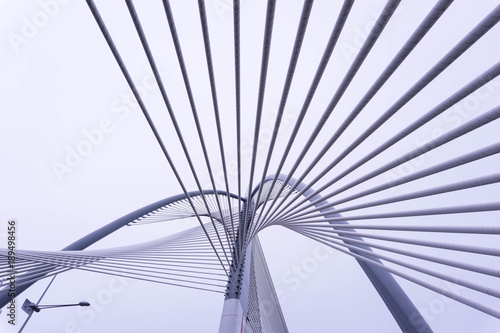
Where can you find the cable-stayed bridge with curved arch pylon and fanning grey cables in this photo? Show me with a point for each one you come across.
(315, 183)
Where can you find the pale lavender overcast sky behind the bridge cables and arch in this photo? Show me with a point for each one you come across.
(59, 84)
